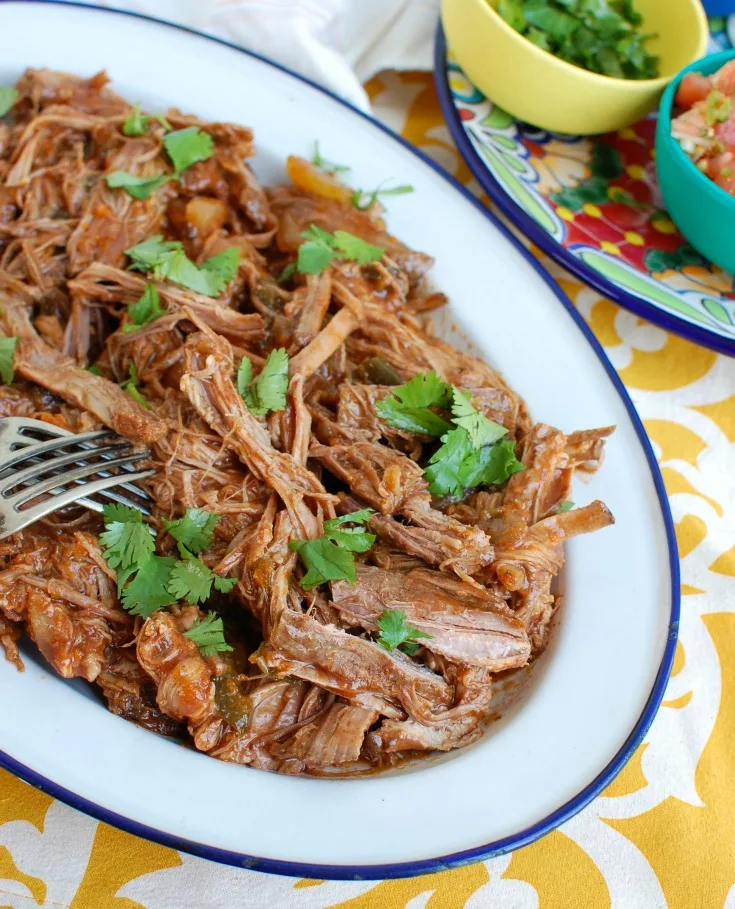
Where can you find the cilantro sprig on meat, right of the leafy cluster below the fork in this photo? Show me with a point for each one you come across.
(330, 557)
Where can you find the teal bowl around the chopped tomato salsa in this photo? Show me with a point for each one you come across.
(704, 213)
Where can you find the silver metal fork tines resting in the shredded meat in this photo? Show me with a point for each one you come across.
(44, 468)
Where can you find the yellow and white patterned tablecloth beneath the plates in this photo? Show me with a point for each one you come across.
(663, 835)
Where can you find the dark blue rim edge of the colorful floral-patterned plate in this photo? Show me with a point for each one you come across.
(527, 225)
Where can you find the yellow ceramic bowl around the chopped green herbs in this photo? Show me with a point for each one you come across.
(537, 87)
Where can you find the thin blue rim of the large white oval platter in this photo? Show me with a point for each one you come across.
(488, 850)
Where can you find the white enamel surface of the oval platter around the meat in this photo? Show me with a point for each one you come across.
(594, 686)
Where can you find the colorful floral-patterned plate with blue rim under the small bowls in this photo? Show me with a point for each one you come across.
(593, 205)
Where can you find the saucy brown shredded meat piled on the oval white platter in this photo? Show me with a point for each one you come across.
(307, 686)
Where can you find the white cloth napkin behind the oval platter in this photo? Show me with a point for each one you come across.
(337, 43)
